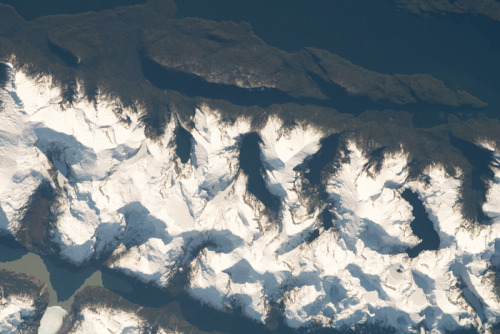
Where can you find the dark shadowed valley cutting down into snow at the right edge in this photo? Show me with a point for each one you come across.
(477, 183)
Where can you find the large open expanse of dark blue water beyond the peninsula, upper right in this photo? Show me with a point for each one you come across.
(463, 51)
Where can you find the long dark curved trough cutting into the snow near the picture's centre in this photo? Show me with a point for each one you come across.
(251, 165)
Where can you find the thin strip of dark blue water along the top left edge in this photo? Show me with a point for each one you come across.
(31, 9)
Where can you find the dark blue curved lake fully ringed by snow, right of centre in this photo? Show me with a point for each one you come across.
(421, 226)
